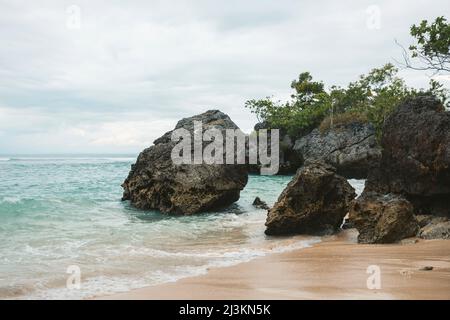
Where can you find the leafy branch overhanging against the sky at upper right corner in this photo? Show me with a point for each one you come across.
(432, 50)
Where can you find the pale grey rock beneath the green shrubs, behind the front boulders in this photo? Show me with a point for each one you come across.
(351, 148)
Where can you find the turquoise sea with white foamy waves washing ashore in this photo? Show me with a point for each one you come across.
(56, 212)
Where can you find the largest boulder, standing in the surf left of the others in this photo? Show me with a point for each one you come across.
(155, 182)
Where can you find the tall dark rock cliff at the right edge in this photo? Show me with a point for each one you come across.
(415, 160)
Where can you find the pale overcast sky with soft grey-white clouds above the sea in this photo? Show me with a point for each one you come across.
(111, 76)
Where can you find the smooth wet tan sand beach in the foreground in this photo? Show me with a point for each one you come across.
(333, 269)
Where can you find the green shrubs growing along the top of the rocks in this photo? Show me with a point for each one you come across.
(371, 98)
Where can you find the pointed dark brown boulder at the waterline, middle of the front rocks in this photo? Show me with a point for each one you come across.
(314, 202)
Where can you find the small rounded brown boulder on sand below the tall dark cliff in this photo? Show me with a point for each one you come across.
(383, 218)
